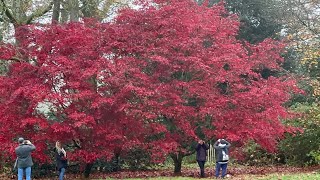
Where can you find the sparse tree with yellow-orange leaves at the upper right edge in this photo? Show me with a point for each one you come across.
(303, 33)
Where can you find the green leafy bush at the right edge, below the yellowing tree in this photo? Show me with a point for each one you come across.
(303, 148)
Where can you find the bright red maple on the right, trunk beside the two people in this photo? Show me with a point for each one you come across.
(204, 78)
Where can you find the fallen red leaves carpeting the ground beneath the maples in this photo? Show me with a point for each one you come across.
(233, 173)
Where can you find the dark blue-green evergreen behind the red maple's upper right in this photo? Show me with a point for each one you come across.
(259, 19)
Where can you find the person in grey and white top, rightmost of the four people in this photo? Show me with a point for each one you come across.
(222, 156)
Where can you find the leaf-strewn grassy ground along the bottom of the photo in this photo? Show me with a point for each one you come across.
(191, 172)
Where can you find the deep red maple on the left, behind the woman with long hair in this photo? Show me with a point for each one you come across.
(63, 84)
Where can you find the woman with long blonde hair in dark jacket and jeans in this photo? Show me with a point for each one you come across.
(61, 159)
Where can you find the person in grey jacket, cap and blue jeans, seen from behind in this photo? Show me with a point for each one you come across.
(24, 159)
